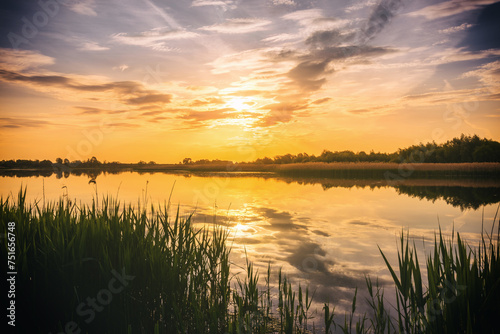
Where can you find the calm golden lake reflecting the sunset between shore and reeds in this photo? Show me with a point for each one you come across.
(323, 232)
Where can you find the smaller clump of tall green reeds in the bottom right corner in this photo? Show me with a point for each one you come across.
(461, 295)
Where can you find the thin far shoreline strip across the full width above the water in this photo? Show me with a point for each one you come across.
(390, 172)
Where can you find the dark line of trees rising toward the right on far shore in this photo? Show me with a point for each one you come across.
(463, 149)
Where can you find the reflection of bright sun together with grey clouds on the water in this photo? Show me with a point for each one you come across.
(285, 239)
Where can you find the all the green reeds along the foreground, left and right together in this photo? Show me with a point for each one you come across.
(180, 281)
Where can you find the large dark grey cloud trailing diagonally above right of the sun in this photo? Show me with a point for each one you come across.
(310, 72)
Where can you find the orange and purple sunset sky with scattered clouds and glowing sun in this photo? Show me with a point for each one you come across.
(162, 80)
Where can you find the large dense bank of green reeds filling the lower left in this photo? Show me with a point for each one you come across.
(68, 254)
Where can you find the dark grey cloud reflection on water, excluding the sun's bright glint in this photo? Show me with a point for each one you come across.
(293, 242)
